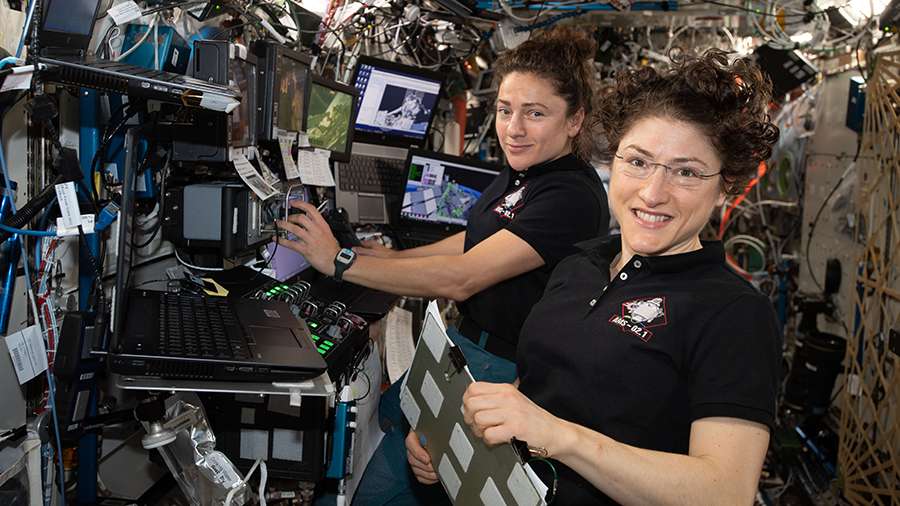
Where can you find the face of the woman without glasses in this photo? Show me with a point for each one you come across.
(532, 125)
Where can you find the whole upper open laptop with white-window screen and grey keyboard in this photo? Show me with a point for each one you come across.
(397, 105)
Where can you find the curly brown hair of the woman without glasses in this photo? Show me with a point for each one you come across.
(563, 58)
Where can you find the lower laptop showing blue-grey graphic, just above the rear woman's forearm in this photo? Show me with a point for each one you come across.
(440, 191)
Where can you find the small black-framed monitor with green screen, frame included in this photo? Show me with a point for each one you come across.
(330, 116)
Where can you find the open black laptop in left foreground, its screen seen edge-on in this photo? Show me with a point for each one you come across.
(237, 339)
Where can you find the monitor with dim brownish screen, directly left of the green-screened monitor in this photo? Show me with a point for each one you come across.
(282, 89)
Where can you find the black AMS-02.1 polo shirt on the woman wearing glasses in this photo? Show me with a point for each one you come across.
(669, 340)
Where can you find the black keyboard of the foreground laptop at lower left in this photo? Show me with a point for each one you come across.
(195, 326)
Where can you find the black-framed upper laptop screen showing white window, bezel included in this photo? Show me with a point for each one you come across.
(396, 102)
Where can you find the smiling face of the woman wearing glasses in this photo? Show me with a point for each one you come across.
(657, 218)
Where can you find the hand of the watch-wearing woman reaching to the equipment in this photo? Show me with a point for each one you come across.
(315, 241)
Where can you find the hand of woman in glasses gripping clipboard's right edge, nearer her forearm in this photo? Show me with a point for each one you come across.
(497, 412)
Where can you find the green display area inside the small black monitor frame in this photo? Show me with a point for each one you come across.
(328, 122)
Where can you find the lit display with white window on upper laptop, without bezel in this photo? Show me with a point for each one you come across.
(393, 102)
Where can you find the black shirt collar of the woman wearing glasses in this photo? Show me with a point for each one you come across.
(604, 250)
